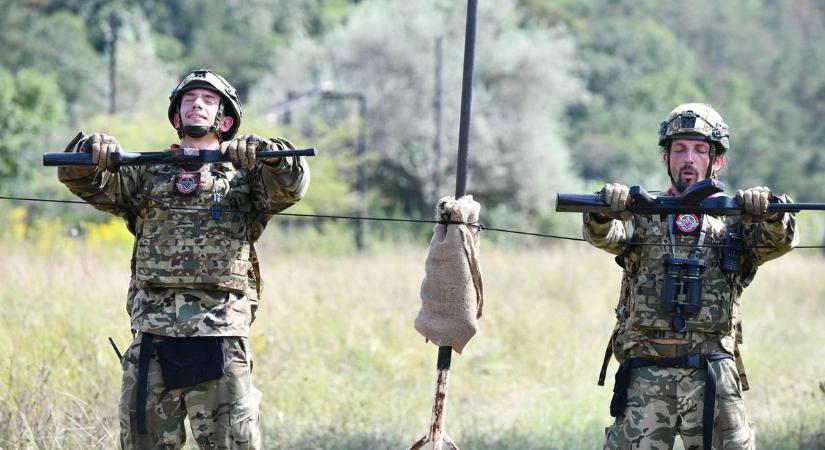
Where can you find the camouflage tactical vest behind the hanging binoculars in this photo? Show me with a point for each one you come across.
(720, 307)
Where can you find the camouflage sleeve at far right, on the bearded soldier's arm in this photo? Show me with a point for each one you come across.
(773, 237)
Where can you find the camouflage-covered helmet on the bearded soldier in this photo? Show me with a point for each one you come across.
(695, 121)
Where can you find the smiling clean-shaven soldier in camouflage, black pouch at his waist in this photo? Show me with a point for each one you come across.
(195, 282)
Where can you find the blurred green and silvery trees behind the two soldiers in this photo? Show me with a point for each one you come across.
(568, 94)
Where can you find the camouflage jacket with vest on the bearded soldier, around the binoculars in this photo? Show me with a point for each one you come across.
(642, 244)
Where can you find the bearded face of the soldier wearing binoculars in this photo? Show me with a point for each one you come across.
(689, 161)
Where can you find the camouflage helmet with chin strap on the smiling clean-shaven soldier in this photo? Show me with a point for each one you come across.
(230, 105)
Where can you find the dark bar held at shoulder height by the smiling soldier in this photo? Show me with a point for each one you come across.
(174, 156)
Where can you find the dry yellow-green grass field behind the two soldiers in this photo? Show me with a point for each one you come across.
(341, 366)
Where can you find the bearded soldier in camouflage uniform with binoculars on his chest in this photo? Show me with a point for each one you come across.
(679, 317)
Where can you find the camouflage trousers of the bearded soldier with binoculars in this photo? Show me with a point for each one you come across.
(666, 402)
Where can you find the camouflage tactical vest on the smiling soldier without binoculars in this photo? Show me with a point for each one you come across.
(193, 234)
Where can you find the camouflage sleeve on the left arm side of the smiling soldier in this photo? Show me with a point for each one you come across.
(109, 192)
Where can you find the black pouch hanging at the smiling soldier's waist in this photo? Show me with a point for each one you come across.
(186, 362)
